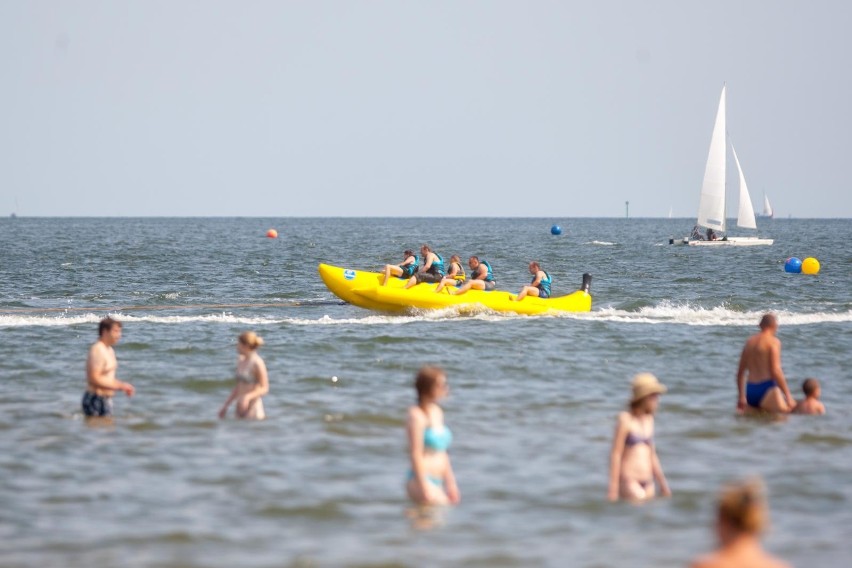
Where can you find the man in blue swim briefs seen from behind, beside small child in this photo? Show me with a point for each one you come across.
(766, 388)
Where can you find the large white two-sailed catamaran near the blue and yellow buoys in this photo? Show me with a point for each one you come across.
(711, 205)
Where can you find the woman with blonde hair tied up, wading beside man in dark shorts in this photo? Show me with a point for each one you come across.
(252, 380)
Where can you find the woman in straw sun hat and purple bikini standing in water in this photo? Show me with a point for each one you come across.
(634, 465)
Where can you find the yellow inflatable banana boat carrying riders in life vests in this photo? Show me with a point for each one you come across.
(364, 289)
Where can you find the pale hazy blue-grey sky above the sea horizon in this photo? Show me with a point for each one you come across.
(419, 108)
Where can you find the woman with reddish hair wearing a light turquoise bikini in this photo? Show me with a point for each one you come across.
(430, 480)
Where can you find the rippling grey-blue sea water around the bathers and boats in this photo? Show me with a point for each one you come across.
(532, 404)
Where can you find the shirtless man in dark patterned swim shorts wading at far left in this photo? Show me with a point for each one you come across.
(101, 364)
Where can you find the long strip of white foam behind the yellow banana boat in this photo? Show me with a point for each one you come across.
(663, 313)
